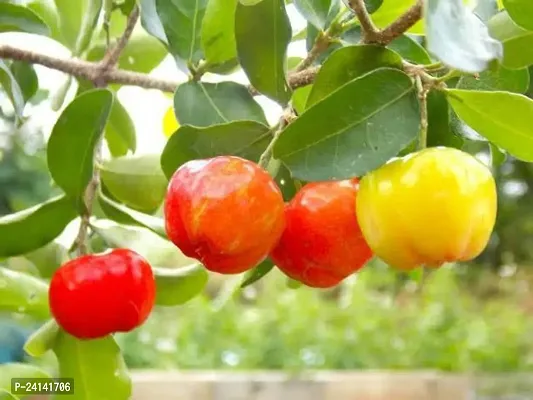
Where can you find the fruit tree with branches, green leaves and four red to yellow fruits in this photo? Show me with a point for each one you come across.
(368, 157)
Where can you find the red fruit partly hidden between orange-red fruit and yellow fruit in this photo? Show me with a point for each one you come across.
(322, 243)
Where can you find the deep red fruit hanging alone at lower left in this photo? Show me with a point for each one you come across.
(99, 294)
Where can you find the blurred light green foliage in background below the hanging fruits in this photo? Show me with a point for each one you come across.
(450, 323)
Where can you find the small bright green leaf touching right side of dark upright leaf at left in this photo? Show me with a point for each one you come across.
(120, 131)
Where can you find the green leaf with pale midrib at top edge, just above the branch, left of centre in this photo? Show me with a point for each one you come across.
(182, 23)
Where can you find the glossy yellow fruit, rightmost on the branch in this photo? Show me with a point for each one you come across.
(430, 207)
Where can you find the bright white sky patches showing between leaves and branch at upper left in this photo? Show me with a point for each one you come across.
(146, 107)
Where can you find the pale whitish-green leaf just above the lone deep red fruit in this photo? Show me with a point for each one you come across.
(154, 248)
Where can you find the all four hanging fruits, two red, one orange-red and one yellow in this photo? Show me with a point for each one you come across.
(434, 206)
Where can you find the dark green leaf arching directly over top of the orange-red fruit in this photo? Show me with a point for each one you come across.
(247, 139)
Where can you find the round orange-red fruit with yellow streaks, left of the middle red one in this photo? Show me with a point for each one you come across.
(226, 212)
